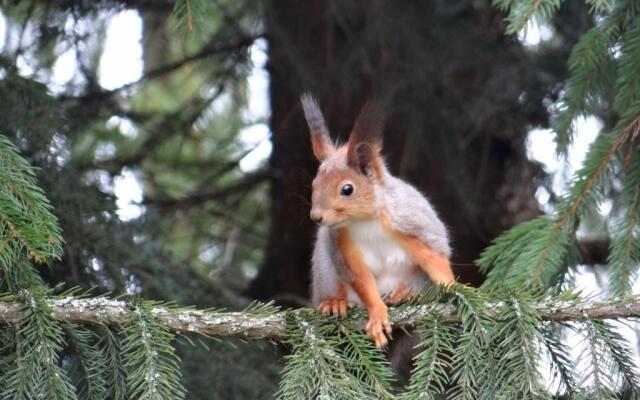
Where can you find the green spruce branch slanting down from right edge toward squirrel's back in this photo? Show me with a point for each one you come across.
(536, 250)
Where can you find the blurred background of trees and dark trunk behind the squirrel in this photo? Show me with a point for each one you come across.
(209, 229)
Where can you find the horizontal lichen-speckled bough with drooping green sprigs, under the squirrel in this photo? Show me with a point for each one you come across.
(475, 343)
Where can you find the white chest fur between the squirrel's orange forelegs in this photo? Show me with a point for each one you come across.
(382, 254)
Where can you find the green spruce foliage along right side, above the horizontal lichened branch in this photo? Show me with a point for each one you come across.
(603, 73)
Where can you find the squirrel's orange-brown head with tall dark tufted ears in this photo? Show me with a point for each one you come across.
(343, 189)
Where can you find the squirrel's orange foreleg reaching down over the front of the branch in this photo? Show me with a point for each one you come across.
(364, 284)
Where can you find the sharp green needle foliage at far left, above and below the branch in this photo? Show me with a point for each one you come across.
(30, 364)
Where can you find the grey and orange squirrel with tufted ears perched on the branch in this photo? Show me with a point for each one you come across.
(378, 237)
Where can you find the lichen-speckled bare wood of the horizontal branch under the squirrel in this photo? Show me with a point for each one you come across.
(272, 326)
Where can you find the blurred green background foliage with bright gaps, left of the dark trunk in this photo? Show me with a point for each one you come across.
(198, 230)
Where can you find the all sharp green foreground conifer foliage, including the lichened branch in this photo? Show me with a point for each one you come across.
(505, 340)
